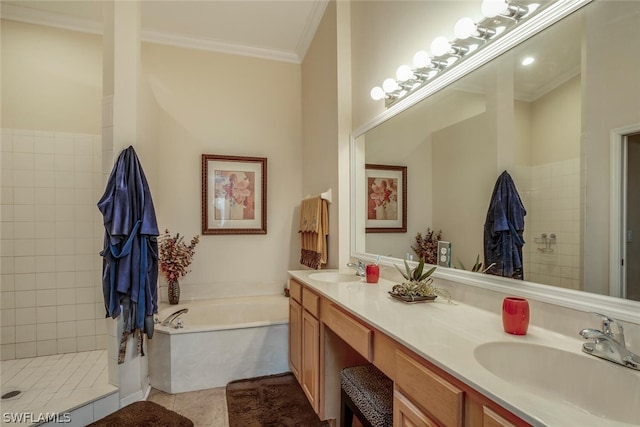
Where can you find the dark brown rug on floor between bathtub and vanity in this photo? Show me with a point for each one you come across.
(271, 401)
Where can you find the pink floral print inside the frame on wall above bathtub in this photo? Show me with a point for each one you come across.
(234, 195)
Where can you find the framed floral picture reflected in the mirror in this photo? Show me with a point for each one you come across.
(386, 199)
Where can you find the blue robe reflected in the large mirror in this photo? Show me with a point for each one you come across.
(503, 230)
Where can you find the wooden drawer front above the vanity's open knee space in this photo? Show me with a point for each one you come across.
(354, 333)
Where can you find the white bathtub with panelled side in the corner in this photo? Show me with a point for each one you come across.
(221, 340)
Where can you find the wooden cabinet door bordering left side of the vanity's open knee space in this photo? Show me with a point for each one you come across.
(310, 372)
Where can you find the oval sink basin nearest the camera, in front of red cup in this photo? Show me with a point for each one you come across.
(596, 386)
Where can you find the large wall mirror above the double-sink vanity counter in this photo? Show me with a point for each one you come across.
(562, 127)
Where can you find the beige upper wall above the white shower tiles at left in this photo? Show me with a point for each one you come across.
(51, 79)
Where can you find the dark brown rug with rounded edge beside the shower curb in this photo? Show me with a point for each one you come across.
(143, 414)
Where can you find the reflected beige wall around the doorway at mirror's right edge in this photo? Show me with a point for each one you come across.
(610, 100)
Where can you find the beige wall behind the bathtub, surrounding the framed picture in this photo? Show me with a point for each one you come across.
(230, 105)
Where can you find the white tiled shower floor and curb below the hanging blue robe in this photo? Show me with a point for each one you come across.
(74, 383)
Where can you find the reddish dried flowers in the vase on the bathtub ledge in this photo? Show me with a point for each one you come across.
(174, 255)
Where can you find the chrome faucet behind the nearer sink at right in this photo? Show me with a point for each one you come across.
(609, 344)
